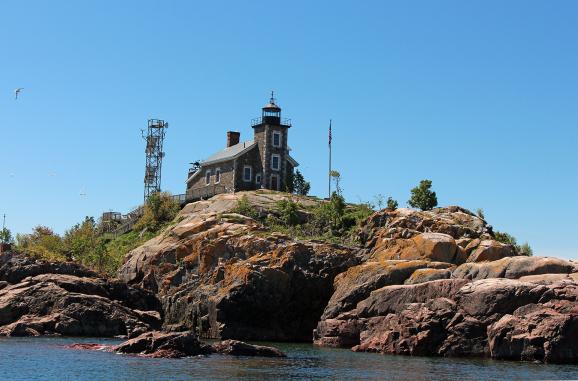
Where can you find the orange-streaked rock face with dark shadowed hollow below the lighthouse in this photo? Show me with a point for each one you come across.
(216, 273)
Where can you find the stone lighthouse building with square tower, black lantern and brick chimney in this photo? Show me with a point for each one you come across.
(261, 163)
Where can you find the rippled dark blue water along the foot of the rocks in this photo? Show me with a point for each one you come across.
(48, 359)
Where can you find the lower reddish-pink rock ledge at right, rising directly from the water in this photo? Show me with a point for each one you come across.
(501, 318)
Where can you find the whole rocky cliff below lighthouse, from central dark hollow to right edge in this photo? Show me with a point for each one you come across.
(416, 283)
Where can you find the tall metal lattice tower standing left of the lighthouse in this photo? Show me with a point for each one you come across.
(154, 156)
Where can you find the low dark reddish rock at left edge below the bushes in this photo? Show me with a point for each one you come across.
(72, 301)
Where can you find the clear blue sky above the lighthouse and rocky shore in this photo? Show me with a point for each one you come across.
(481, 97)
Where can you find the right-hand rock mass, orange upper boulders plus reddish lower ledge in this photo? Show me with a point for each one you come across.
(437, 283)
